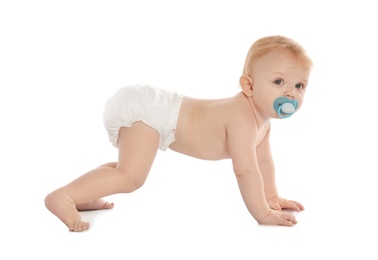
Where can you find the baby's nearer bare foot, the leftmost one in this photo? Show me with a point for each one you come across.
(62, 206)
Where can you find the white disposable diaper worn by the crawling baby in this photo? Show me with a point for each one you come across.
(155, 107)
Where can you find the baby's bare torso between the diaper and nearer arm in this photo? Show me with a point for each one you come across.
(201, 128)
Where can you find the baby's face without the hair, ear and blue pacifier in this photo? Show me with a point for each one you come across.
(278, 74)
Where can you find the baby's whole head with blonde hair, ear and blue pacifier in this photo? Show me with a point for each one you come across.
(276, 72)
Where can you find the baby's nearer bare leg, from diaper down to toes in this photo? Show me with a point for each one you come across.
(137, 150)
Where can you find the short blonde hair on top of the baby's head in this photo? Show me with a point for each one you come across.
(274, 43)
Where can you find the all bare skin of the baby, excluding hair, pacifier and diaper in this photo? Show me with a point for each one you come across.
(236, 128)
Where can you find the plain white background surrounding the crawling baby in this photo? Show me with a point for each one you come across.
(61, 60)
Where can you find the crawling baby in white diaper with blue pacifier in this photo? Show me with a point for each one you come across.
(141, 119)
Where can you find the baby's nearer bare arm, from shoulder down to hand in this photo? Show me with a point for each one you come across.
(242, 148)
